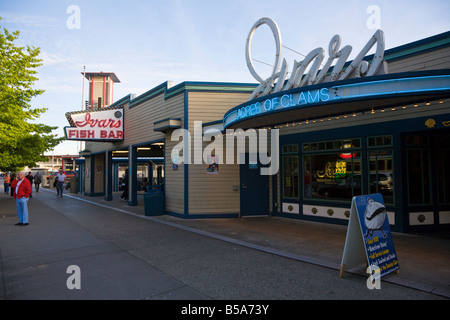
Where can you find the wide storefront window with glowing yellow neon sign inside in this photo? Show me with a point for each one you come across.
(332, 169)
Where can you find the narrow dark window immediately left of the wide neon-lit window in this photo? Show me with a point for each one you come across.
(290, 171)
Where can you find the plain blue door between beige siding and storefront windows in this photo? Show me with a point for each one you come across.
(254, 190)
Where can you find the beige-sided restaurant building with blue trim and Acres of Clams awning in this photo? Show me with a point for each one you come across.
(371, 131)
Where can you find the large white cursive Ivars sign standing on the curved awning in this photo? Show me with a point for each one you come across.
(298, 78)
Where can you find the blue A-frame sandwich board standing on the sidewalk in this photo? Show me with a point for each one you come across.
(369, 238)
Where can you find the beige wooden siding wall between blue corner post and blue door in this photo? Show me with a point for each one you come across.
(213, 193)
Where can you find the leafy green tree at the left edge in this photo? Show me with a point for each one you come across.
(22, 142)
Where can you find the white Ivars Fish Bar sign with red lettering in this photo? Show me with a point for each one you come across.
(98, 125)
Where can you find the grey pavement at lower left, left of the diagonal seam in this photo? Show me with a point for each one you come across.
(35, 259)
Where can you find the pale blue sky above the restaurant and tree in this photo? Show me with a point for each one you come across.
(146, 43)
